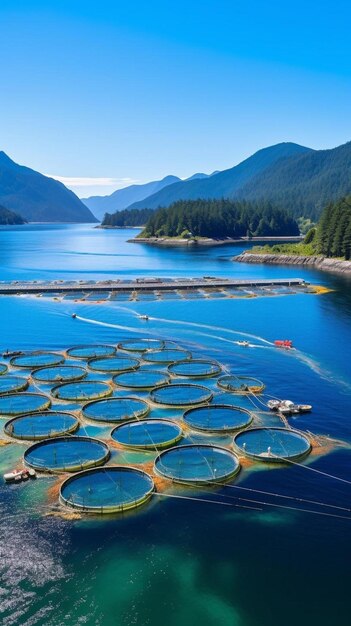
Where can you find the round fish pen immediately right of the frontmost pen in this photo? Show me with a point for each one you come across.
(197, 464)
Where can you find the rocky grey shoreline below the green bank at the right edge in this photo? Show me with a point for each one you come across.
(321, 263)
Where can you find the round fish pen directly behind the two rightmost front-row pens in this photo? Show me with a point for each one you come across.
(217, 418)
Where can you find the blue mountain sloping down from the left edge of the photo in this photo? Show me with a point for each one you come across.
(38, 198)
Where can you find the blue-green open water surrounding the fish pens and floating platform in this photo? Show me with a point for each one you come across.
(180, 561)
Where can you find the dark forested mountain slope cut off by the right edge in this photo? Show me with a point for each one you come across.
(305, 183)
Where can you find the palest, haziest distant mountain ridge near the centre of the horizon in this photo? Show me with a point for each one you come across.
(123, 198)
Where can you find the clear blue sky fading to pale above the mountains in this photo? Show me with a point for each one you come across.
(140, 89)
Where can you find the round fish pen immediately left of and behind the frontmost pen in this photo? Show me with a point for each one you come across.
(66, 454)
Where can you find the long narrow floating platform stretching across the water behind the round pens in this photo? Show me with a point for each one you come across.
(144, 285)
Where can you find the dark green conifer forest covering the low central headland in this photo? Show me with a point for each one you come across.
(218, 219)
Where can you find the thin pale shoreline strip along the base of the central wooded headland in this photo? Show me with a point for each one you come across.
(208, 241)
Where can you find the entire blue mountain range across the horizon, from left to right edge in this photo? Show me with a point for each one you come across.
(288, 175)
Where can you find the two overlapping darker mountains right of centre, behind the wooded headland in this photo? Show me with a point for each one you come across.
(288, 175)
